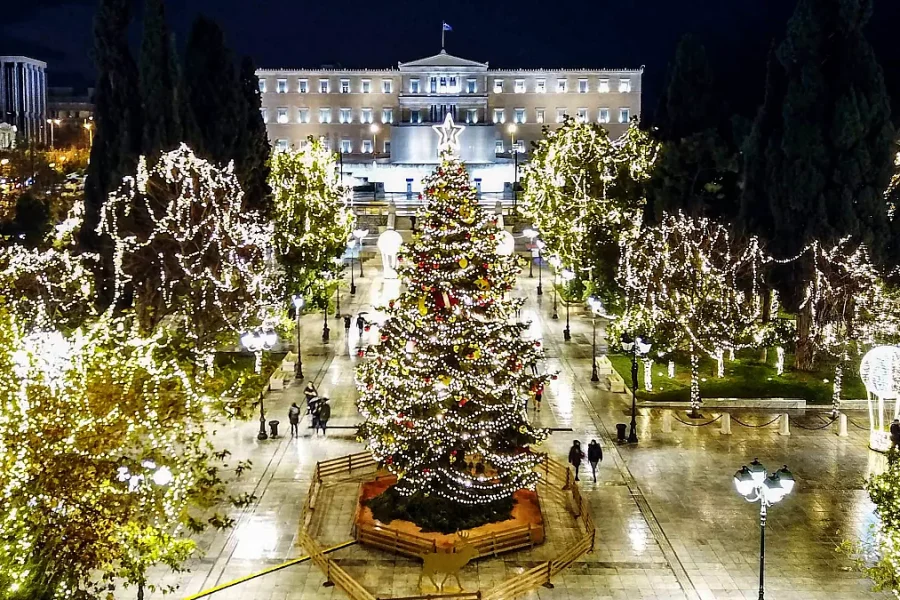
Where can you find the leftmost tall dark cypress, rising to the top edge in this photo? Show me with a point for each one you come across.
(116, 113)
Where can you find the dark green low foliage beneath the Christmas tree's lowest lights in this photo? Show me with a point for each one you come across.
(433, 513)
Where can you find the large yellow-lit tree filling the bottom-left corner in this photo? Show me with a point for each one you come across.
(104, 463)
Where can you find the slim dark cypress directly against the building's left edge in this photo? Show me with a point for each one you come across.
(252, 151)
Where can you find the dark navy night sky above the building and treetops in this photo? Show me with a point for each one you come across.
(523, 33)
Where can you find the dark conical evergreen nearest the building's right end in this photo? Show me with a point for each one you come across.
(697, 169)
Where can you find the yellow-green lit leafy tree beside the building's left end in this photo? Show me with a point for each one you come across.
(312, 221)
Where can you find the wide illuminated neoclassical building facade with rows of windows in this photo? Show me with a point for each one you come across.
(380, 120)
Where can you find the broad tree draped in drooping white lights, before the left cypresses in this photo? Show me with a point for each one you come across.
(187, 249)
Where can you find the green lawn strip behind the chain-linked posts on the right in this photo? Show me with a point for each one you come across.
(745, 377)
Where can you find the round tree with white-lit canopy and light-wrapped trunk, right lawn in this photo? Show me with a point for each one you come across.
(691, 286)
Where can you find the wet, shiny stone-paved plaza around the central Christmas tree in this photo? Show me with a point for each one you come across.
(669, 523)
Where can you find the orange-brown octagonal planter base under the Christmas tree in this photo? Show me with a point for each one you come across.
(524, 530)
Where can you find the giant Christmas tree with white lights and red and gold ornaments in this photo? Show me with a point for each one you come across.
(444, 394)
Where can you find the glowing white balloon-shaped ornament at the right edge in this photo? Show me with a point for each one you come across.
(880, 372)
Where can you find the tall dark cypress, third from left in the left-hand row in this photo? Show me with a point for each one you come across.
(212, 94)
